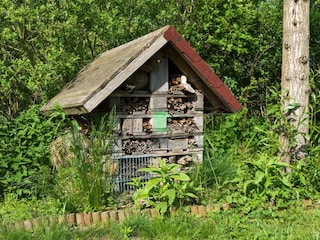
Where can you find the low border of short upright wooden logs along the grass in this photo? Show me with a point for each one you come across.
(88, 219)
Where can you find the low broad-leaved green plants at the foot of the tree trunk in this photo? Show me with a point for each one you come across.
(264, 181)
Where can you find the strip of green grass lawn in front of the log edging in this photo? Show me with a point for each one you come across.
(287, 224)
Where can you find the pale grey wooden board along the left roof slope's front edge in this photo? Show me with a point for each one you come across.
(124, 74)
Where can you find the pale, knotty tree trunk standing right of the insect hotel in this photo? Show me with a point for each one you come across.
(295, 77)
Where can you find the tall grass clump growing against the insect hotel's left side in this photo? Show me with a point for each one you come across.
(83, 181)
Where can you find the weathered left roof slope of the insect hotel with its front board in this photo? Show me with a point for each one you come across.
(121, 61)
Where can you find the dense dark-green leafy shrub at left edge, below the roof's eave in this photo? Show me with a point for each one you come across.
(25, 166)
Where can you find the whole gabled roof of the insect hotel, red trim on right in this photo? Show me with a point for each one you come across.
(109, 70)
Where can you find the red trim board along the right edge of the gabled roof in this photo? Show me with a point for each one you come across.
(203, 68)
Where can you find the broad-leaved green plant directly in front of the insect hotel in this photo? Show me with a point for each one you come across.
(169, 189)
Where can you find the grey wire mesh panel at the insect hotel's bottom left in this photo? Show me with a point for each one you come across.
(128, 167)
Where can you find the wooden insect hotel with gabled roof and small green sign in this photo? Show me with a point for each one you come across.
(160, 88)
